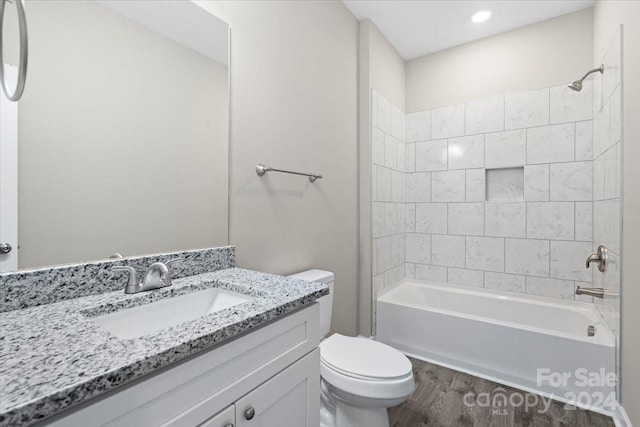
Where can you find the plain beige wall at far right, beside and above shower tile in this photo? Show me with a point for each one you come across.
(607, 18)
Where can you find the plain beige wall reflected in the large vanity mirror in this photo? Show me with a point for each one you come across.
(112, 134)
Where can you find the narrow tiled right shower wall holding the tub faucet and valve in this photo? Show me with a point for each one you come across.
(607, 174)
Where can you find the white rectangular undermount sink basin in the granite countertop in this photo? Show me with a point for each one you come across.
(153, 317)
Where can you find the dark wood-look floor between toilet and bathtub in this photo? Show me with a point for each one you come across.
(439, 402)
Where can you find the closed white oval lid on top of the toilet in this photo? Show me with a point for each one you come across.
(363, 357)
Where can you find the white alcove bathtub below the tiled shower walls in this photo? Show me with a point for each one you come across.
(504, 337)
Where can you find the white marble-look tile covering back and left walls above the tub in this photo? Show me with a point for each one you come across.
(534, 234)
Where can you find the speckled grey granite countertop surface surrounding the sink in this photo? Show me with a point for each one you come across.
(53, 356)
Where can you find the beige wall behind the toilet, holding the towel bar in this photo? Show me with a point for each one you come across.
(294, 106)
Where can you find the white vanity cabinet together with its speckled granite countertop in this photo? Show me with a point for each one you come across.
(254, 362)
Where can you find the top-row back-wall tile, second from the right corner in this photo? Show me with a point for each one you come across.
(527, 109)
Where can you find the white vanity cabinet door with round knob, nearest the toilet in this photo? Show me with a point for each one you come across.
(291, 398)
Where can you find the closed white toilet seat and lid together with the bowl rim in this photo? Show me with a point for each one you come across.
(365, 368)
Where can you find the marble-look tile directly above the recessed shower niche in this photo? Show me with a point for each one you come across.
(505, 149)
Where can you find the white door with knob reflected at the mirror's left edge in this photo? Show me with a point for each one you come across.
(9, 176)
